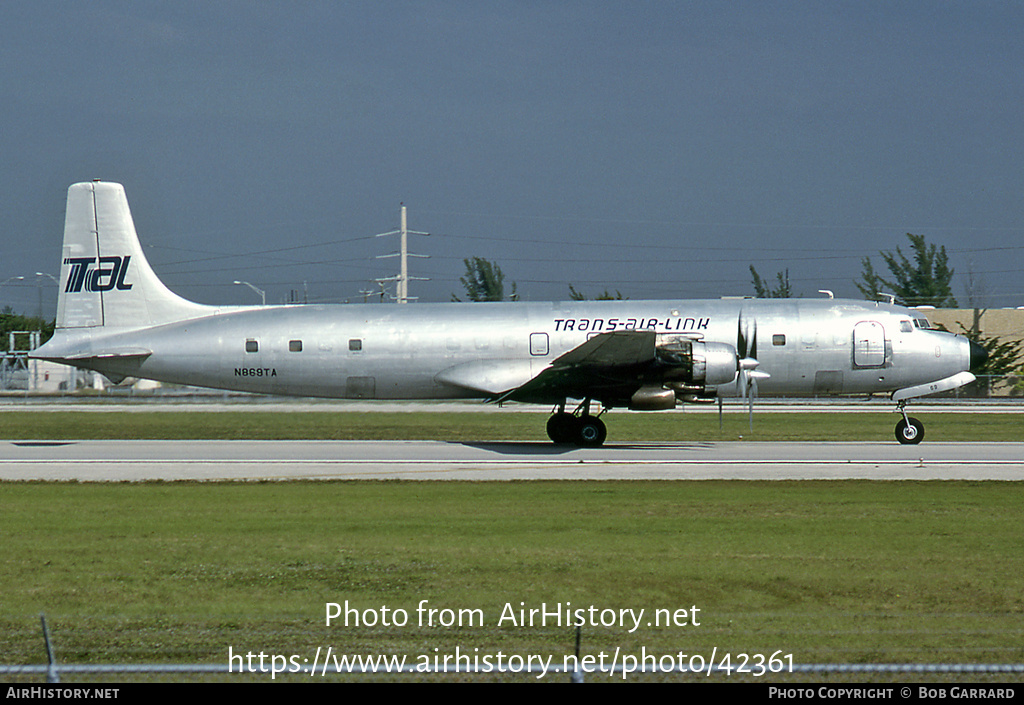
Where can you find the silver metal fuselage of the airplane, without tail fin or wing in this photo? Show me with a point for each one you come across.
(806, 347)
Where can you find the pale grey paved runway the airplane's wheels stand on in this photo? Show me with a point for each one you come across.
(422, 461)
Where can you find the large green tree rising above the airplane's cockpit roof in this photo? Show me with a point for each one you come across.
(925, 281)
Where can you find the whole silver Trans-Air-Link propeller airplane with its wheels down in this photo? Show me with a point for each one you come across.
(116, 317)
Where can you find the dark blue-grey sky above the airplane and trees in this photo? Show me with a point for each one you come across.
(653, 149)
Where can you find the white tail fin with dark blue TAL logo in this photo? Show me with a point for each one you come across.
(106, 280)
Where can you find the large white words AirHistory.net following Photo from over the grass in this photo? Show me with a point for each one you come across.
(565, 615)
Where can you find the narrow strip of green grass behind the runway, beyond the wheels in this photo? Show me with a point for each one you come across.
(493, 427)
